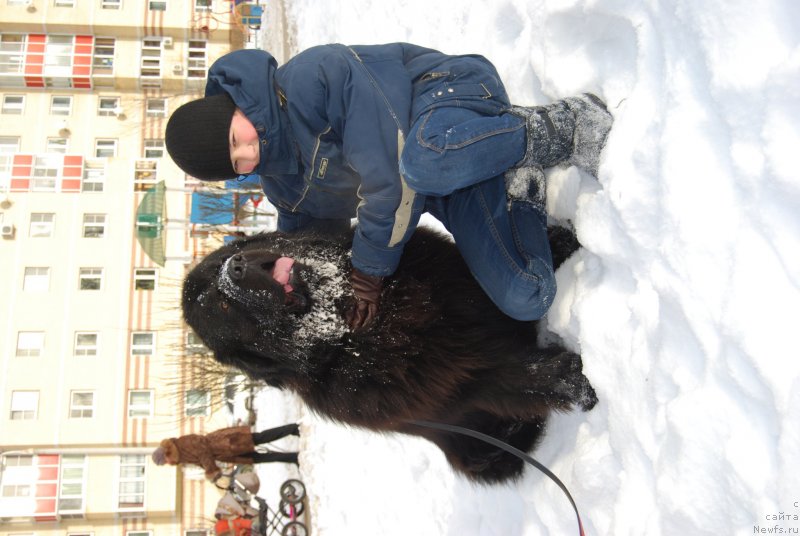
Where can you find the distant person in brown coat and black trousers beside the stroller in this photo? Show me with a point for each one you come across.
(231, 445)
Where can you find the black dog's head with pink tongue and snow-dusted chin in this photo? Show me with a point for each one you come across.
(259, 301)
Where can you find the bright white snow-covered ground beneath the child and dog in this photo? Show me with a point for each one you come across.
(683, 302)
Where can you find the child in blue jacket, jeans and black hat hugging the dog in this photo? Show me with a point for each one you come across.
(383, 133)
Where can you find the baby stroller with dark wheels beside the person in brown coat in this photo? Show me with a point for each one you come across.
(236, 516)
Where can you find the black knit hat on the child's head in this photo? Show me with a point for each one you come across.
(197, 137)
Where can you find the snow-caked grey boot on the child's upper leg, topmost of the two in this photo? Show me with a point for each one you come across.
(571, 130)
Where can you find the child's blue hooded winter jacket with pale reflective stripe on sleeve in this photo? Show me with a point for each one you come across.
(332, 122)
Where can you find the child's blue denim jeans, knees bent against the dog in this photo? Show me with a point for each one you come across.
(457, 156)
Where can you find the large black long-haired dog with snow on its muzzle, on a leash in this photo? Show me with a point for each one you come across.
(271, 305)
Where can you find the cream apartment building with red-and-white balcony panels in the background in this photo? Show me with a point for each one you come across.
(96, 237)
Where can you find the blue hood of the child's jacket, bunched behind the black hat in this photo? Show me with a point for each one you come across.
(248, 76)
